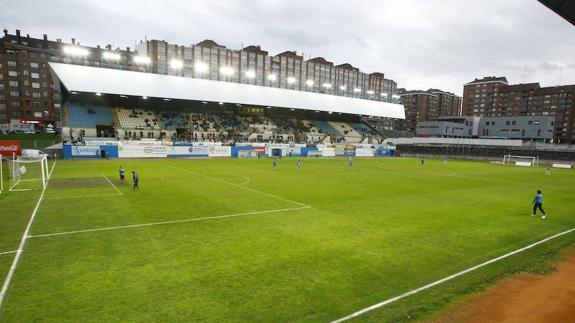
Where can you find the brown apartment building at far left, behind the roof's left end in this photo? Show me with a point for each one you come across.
(27, 91)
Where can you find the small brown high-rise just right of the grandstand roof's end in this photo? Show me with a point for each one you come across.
(426, 106)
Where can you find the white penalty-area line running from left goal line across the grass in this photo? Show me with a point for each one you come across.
(169, 222)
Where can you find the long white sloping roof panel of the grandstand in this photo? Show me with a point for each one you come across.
(109, 81)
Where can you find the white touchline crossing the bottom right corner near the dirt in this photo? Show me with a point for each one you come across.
(443, 280)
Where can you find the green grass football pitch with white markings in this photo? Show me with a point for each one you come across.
(236, 240)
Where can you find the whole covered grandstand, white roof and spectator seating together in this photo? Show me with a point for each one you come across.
(209, 111)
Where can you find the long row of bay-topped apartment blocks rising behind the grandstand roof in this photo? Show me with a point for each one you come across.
(252, 65)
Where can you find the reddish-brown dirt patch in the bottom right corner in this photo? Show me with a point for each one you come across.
(523, 298)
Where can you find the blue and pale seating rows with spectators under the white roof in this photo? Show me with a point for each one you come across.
(217, 126)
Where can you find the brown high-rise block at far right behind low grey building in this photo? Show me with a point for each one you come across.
(494, 97)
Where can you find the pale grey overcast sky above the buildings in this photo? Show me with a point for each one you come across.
(418, 43)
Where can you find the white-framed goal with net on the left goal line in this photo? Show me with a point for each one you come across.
(27, 173)
